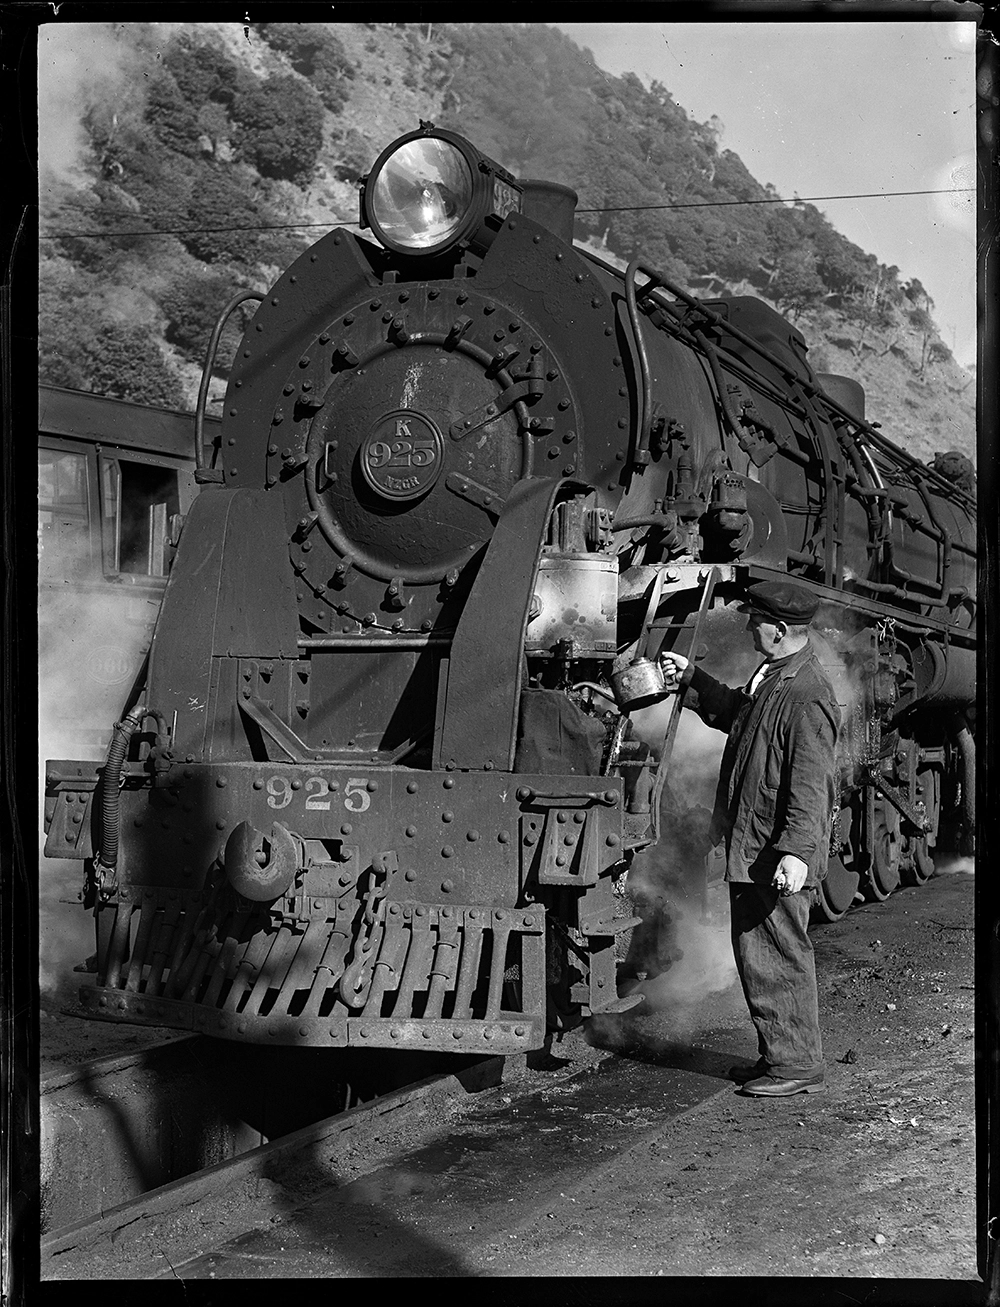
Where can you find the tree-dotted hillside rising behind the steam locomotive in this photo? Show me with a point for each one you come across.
(206, 155)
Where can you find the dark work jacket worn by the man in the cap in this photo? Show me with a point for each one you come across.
(778, 778)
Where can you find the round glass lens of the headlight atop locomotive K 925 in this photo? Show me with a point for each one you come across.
(423, 194)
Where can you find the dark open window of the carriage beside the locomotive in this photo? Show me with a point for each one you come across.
(139, 500)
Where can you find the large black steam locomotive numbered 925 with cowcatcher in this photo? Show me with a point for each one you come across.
(384, 776)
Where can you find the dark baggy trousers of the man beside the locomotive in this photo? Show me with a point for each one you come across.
(775, 959)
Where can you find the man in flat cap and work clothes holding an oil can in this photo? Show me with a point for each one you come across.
(773, 811)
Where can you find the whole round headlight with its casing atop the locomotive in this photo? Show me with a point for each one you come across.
(432, 191)
